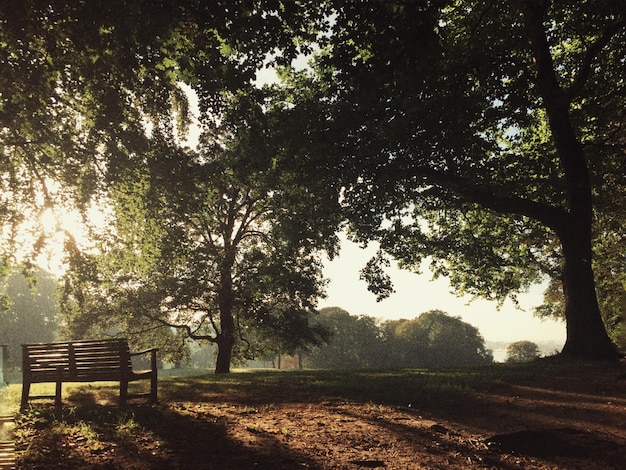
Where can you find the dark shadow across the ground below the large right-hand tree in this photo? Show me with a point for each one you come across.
(567, 421)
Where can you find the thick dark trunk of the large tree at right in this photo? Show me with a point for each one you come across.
(586, 333)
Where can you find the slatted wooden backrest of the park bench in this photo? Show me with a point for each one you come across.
(77, 361)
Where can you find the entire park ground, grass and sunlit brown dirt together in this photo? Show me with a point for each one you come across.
(547, 414)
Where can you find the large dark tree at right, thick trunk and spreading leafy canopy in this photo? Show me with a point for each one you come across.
(479, 134)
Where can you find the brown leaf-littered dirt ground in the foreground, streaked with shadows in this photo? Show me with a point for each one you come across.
(568, 421)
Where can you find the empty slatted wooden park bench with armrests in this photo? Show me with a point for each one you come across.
(84, 361)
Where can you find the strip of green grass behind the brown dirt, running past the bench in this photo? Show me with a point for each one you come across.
(394, 387)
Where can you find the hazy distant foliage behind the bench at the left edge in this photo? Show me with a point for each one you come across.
(31, 316)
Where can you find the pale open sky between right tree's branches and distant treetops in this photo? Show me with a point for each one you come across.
(416, 294)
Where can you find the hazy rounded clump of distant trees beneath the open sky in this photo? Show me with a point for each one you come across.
(434, 339)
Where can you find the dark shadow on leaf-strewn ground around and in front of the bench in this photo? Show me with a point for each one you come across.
(86, 433)
